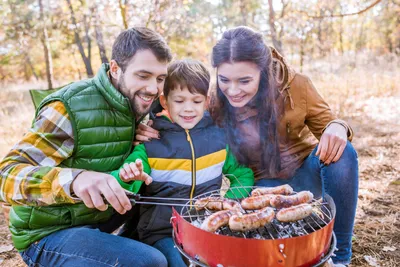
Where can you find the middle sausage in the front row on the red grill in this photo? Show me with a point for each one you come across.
(246, 222)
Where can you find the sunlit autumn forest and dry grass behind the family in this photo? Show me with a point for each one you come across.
(350, 49)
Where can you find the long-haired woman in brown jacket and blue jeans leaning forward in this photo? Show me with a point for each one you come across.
(278, 124)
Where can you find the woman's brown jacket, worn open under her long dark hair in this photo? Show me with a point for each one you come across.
(305, 117)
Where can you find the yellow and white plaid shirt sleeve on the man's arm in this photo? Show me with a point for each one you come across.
(29, 173)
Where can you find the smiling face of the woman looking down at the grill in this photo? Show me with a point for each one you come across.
(239, 82)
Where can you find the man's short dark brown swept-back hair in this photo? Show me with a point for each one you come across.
(135, 39)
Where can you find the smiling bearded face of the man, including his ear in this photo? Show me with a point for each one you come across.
(142, 81)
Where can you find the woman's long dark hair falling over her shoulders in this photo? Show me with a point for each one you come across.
(243, 44)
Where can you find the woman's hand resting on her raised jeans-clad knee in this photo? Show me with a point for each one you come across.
(332, 144)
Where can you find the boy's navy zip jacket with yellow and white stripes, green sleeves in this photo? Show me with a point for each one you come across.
(183, 164)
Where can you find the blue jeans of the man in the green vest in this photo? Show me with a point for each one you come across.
(88, 246)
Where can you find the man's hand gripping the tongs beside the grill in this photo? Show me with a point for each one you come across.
(91, 187)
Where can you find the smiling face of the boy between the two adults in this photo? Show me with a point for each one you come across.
(186, 109)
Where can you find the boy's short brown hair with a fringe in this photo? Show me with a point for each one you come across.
(187, 73)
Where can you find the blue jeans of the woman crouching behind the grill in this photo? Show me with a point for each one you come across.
(340, 181)
